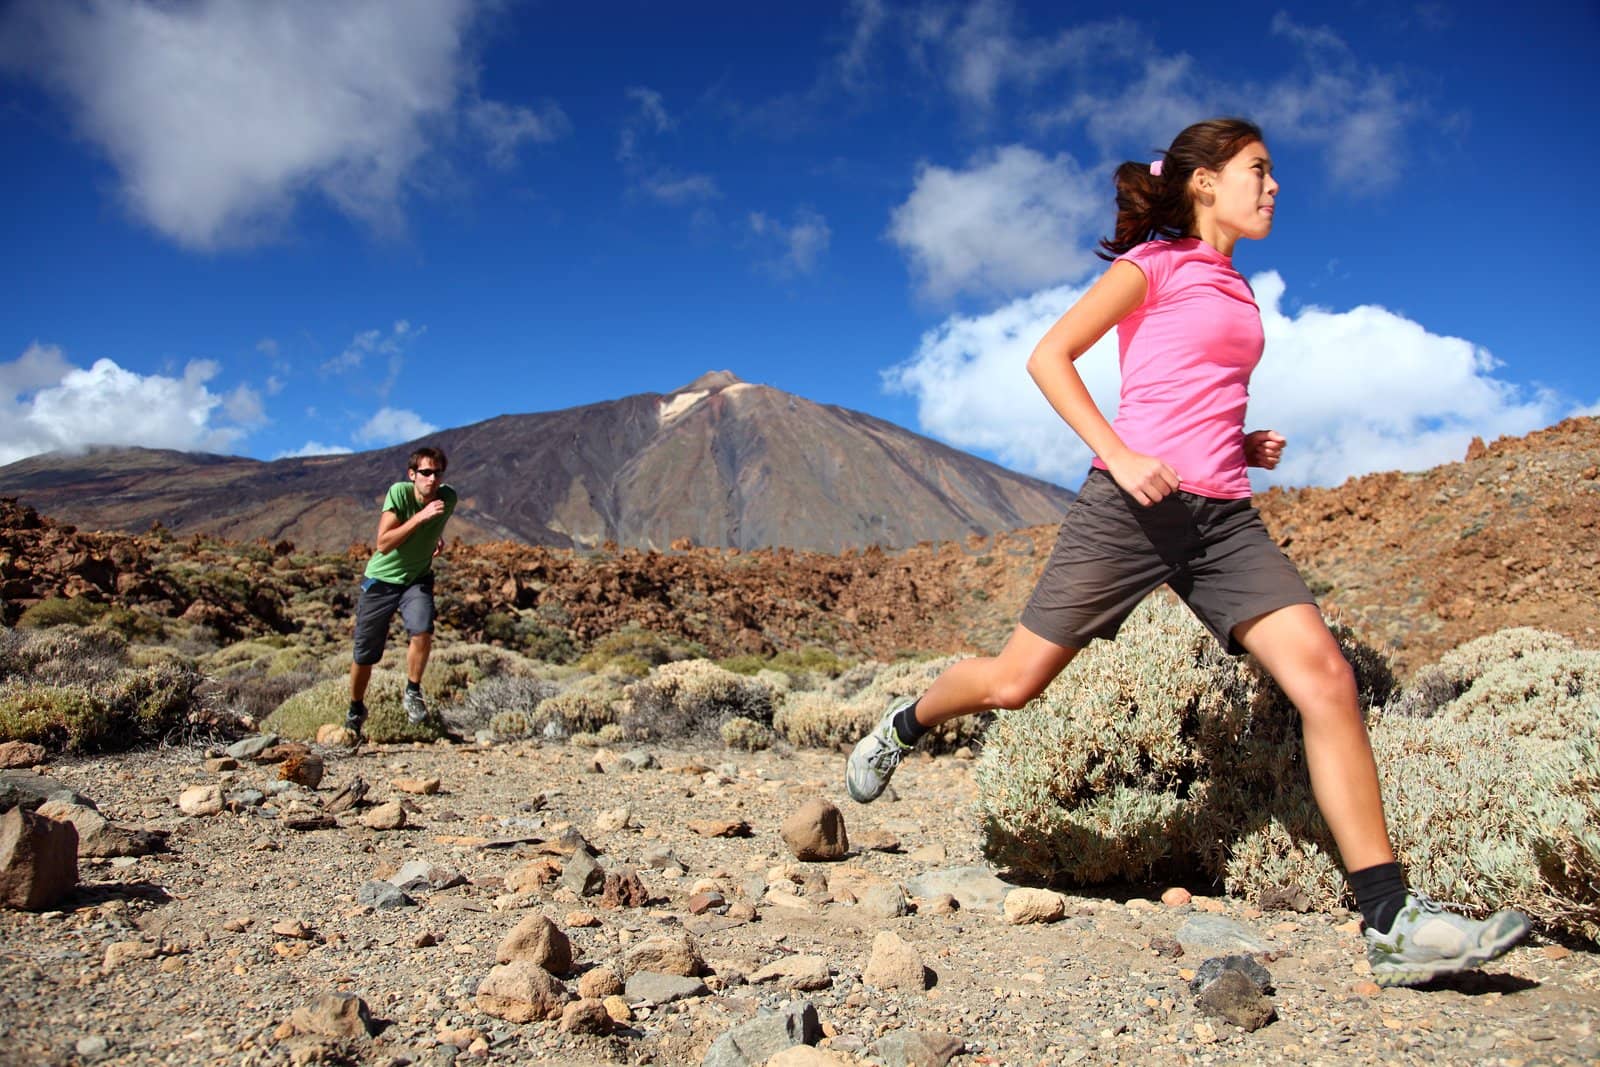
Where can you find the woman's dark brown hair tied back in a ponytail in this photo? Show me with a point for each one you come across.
(1159, 206)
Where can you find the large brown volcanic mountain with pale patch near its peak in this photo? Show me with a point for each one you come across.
(718, 463)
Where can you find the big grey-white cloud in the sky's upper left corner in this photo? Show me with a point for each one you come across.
(220, 116)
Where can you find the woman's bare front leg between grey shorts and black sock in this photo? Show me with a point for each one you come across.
(1295, 645)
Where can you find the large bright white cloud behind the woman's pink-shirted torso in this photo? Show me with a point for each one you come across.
(1356, 391)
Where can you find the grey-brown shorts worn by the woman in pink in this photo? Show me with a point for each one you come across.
(1113, 553)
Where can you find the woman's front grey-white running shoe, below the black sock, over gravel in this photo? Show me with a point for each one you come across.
(1430, 943)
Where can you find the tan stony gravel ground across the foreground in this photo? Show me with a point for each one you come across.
(207, 980)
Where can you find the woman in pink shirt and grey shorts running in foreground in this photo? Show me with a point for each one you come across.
(1167, 502)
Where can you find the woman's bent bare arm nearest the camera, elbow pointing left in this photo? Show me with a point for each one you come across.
(1113, 298)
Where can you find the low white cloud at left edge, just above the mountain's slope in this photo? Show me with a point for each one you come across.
(50, 406)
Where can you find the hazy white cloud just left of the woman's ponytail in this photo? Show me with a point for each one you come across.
(1012, 220)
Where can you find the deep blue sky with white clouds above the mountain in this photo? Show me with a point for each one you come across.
(274, 230)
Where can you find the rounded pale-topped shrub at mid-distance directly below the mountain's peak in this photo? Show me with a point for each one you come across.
(692, 698)
